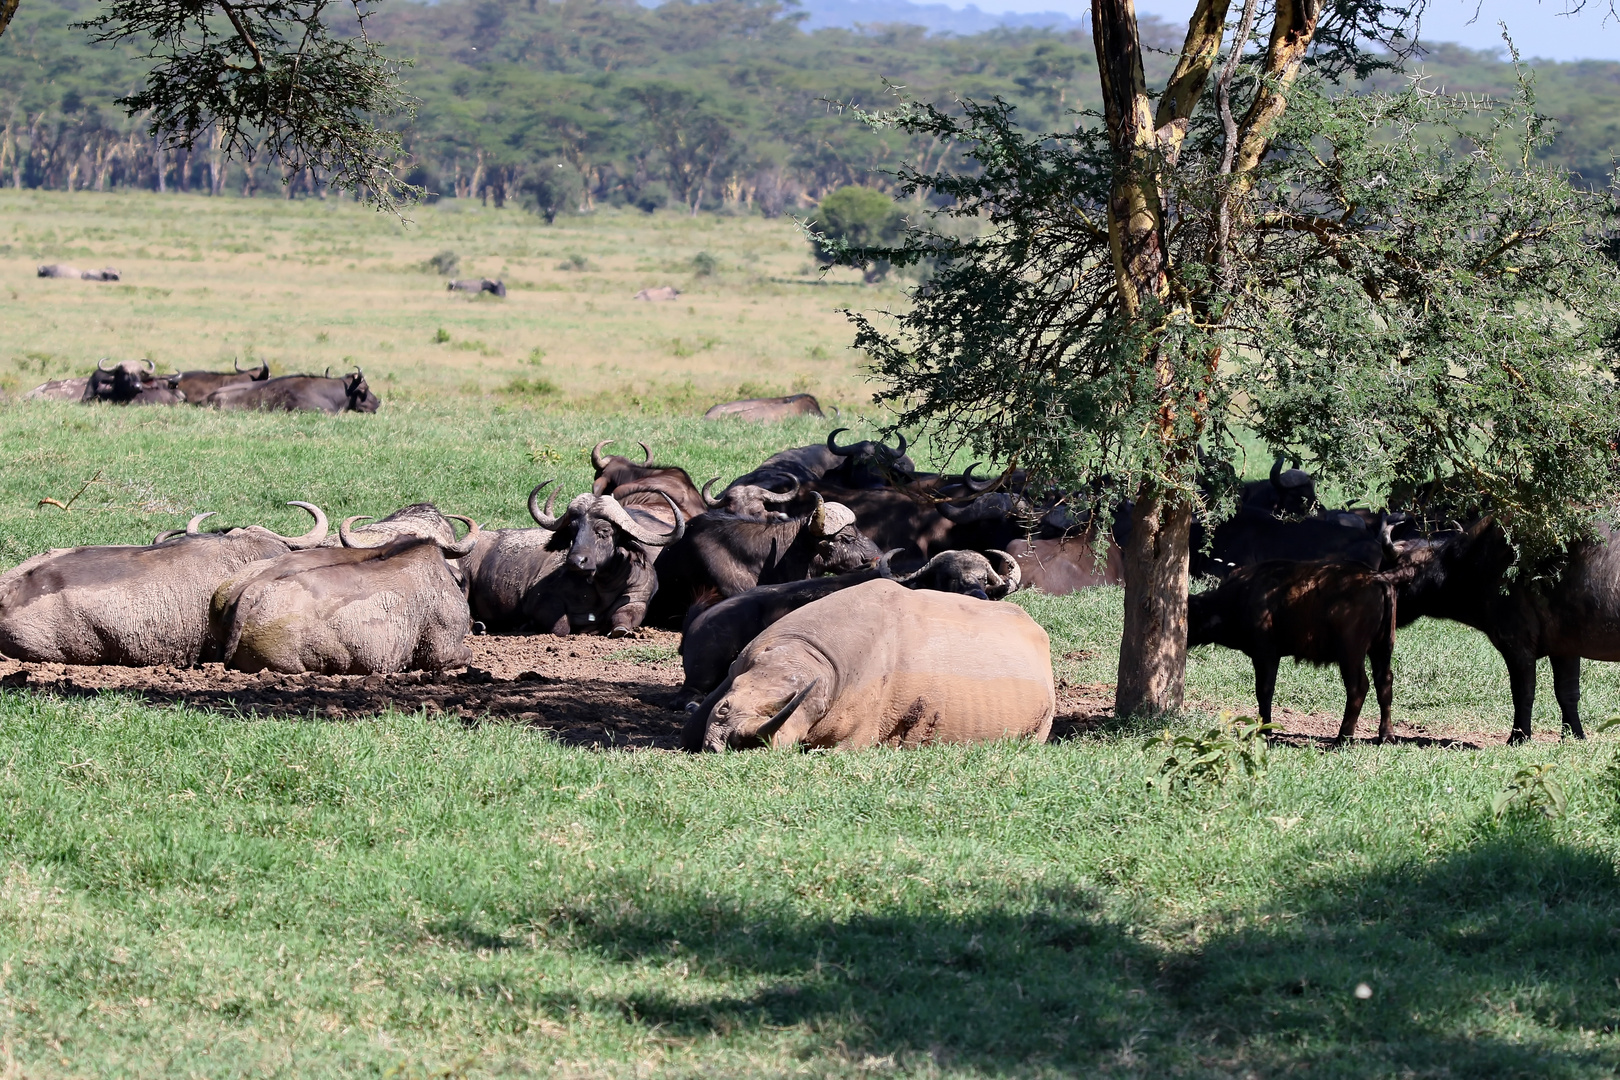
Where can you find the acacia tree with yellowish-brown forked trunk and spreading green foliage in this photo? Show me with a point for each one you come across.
(1388, 284)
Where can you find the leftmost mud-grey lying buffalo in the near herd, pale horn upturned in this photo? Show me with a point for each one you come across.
(134, 606)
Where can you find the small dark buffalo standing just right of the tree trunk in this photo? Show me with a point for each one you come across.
(1313, 611)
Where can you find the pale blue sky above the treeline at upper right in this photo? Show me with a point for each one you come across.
(1540, 28)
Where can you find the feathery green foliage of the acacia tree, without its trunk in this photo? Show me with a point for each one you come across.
(1413, 300)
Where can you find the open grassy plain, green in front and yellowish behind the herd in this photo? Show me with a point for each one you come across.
(200, 890)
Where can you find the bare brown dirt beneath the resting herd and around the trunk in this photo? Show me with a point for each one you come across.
(586, 691)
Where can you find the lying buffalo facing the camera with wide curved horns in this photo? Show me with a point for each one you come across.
(589, 569)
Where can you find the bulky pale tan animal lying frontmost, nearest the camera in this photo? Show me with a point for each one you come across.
(880, 665)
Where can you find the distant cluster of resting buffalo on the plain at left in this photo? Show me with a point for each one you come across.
(137, 383)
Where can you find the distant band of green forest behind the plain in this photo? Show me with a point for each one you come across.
(696, 106)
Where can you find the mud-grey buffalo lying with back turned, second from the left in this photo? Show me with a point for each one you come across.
(347, 611)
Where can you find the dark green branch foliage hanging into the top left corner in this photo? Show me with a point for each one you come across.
(270, 77)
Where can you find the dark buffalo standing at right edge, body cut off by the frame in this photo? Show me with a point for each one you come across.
(1574, 614)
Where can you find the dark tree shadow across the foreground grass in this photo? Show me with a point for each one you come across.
(1494, 961)
